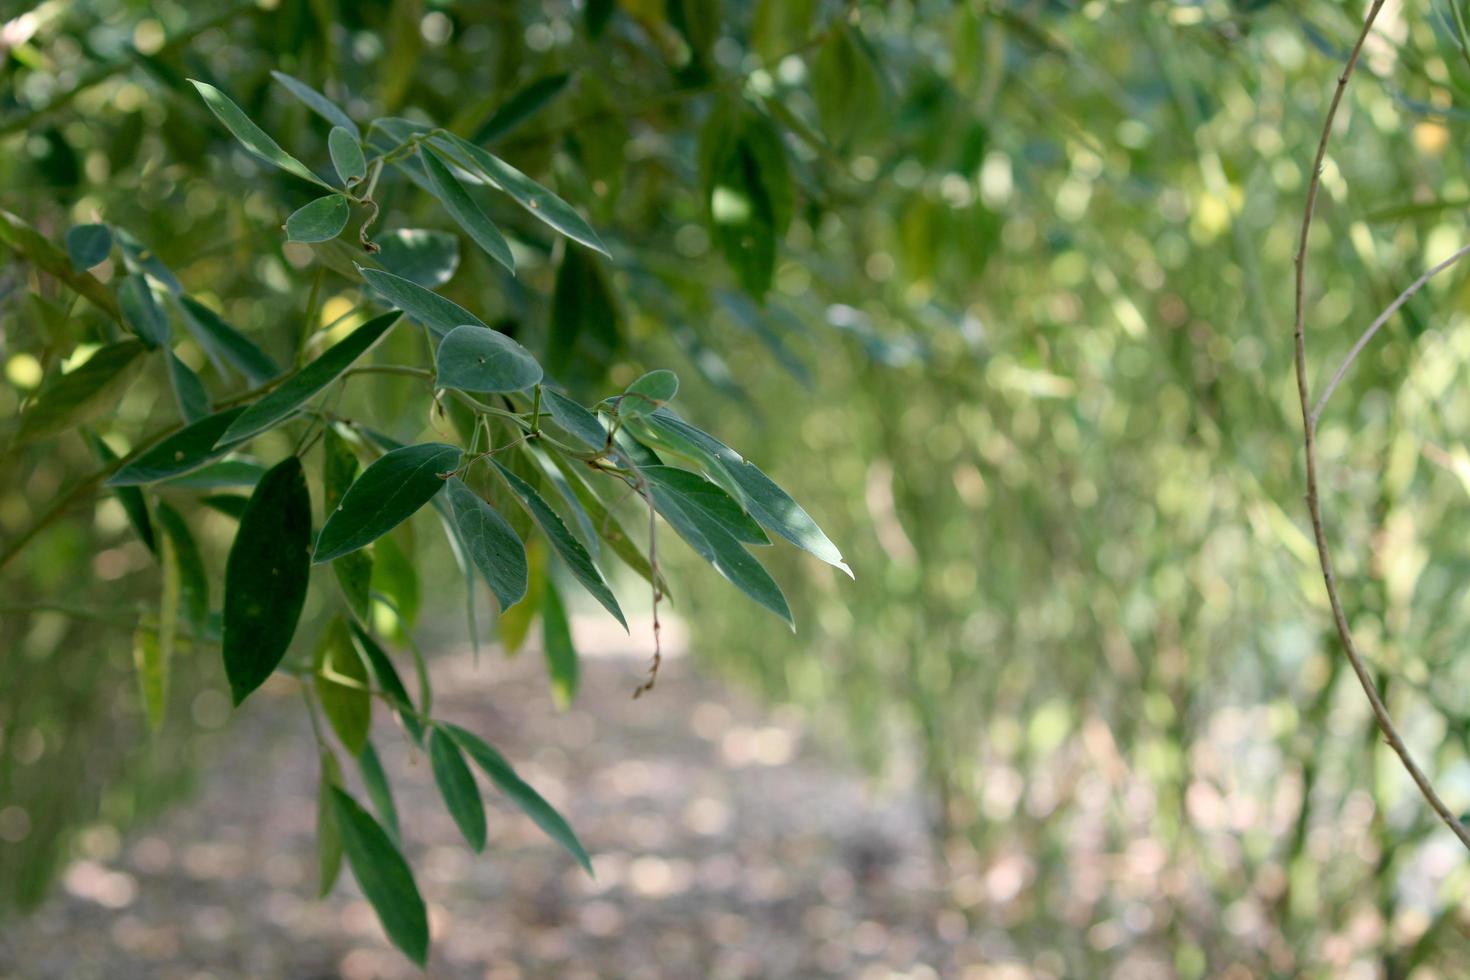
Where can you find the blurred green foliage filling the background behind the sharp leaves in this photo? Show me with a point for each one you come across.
(1027, 359)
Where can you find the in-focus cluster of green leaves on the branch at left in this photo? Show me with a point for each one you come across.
(530, 458)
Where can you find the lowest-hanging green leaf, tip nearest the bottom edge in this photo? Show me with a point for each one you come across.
(384, 878)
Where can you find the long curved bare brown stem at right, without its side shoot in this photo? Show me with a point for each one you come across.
(1309, 425)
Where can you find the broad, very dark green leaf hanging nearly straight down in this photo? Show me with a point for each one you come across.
(267, 577)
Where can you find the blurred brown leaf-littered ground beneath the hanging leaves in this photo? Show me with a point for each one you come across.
(724, 846)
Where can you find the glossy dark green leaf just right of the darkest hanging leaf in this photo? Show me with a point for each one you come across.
(387, 494)
